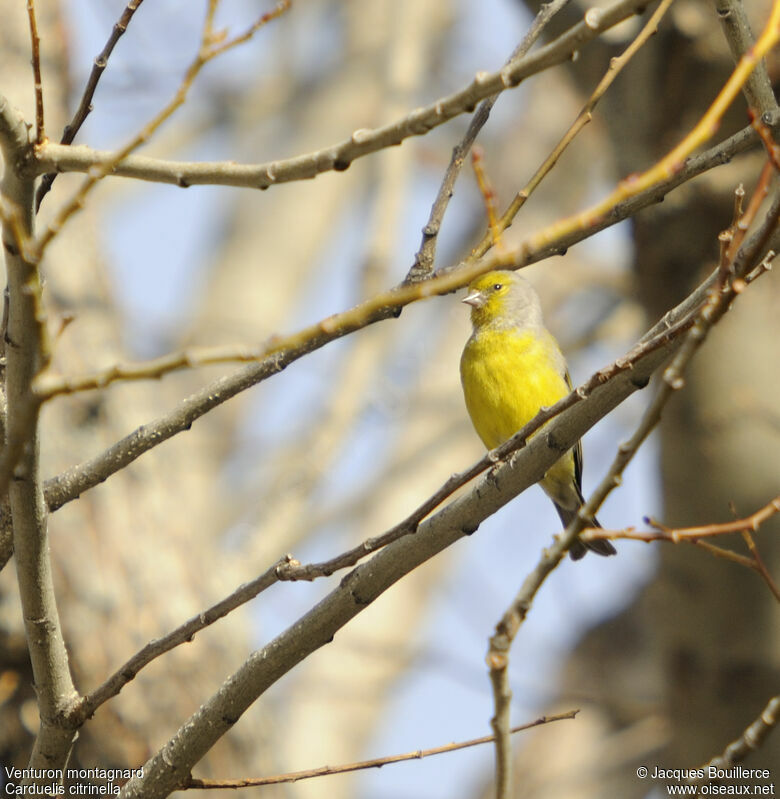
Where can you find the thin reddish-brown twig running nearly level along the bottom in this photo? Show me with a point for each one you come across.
(378, 762)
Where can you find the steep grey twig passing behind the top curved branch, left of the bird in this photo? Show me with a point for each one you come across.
(423, 260)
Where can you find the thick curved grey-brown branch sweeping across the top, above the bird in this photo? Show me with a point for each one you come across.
(338, 157)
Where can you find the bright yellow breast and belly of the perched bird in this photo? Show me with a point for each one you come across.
(507, 377)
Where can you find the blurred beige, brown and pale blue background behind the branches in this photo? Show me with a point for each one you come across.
(668, 652)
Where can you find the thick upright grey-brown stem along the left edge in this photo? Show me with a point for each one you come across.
(26, 351)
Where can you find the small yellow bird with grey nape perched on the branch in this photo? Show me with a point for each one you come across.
(510, 368)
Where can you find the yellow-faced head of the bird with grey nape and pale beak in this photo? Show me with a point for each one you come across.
(503, 299)
